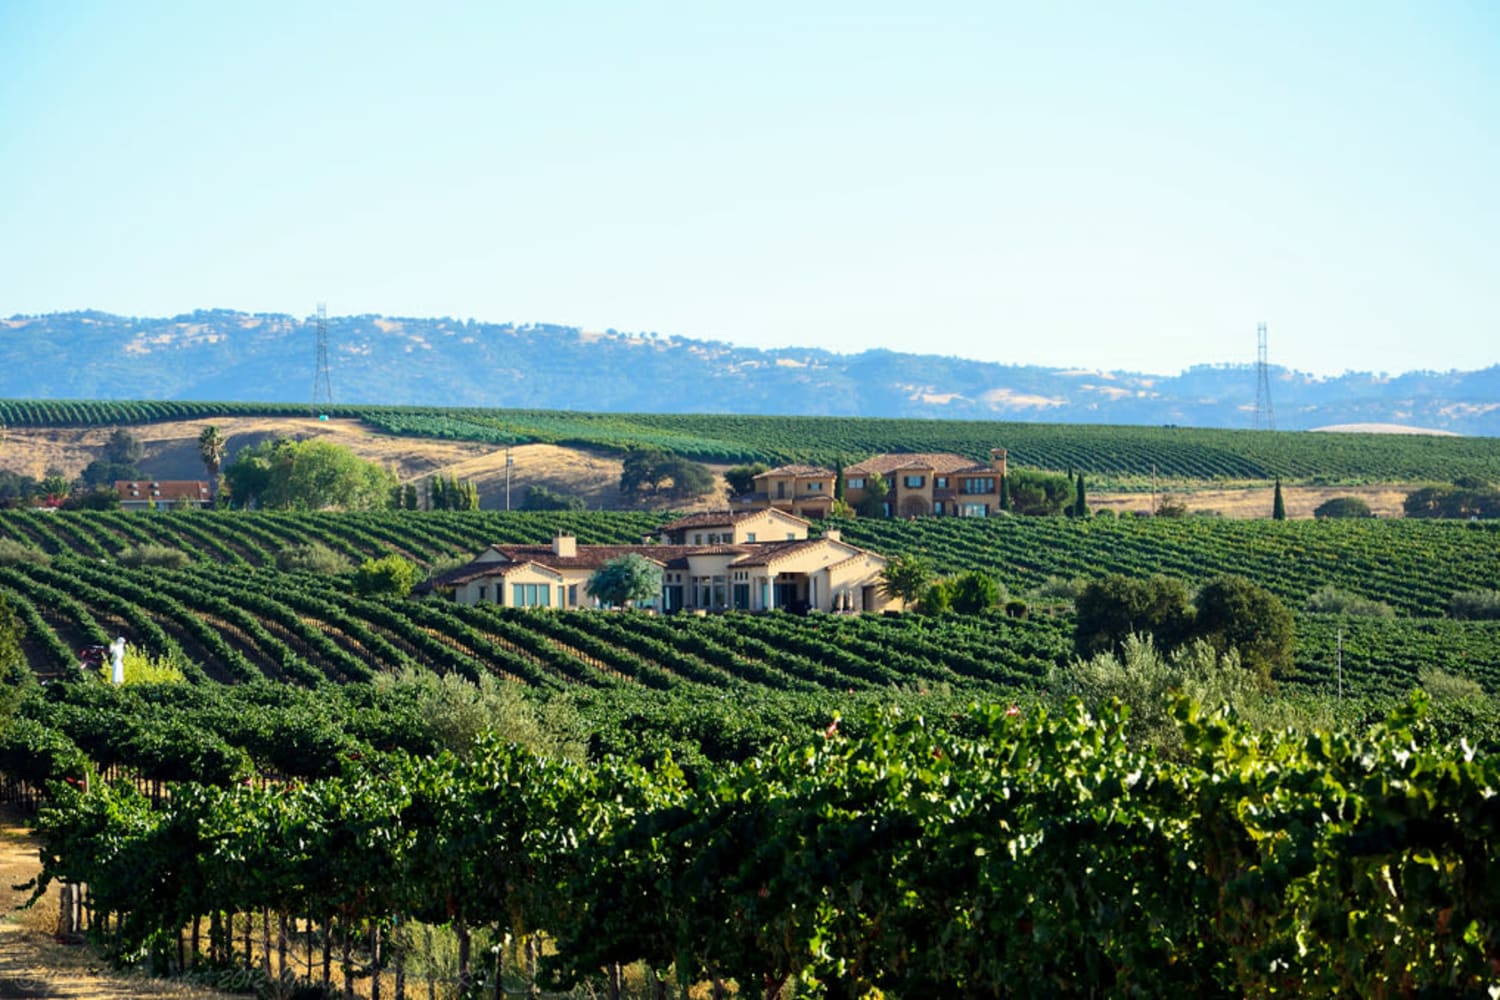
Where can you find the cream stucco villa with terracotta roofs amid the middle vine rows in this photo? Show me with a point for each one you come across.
(751, 561)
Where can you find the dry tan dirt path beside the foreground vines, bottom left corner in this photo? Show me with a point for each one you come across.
(34, 963)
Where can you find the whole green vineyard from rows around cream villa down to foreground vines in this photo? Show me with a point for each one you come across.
(688, 801)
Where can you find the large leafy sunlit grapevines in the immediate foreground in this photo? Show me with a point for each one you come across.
(977, 852)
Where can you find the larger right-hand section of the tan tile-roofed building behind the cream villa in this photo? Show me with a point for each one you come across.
(925, 485)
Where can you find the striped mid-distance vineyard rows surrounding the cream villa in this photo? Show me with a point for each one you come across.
(233, 617)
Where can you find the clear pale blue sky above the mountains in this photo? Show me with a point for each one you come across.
(1120, 185)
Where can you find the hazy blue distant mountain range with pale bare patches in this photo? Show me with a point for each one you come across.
(233, 356)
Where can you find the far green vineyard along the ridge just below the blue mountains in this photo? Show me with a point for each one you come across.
(1114, 454)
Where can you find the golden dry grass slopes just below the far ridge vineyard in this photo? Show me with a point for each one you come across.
(172, 454)
